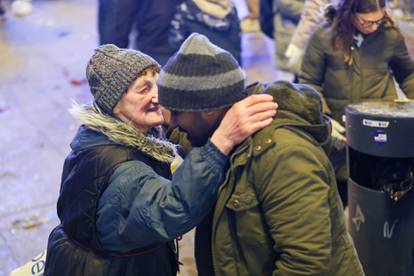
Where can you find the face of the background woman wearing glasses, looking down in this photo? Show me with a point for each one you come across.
(369, 22)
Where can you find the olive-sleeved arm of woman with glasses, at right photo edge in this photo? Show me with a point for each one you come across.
(402, 66)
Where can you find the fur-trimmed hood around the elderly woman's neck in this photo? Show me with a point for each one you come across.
(100, 129)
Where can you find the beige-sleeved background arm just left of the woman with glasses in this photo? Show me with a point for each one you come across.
(311, 17)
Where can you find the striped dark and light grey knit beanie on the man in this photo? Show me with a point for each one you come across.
(200, 77)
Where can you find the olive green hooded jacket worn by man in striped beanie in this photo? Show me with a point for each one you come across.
(278, 211)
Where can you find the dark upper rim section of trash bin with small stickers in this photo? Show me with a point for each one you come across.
(383, 129)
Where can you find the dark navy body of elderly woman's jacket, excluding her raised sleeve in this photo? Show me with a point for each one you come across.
(74, 247)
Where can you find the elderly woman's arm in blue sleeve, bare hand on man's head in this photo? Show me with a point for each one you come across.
(140, 208)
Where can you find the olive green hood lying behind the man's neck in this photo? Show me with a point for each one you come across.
(300, 108)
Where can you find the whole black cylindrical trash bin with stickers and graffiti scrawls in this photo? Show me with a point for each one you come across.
(380, 157)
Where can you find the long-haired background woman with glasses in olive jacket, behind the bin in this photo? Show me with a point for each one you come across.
(353, 58)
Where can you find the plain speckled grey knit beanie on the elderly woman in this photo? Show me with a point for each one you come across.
(112, 70)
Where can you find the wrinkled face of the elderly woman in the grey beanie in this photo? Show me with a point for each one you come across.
(139, 105)
